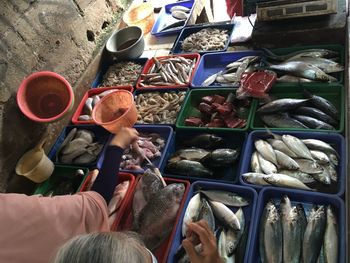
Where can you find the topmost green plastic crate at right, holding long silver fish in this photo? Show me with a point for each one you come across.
(338, 48)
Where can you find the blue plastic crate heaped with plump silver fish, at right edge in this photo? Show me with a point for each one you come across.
(337, 141)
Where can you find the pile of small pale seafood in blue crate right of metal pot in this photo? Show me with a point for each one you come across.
(205, 40)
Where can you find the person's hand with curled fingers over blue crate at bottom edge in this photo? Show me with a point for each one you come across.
(209, 253)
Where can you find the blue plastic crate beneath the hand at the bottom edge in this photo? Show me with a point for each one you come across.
(249, 211)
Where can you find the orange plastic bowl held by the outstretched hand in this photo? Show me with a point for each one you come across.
(115, 111)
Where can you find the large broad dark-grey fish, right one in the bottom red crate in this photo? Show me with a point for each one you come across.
(158, 217)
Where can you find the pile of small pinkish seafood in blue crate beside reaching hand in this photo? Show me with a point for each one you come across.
(147, 145)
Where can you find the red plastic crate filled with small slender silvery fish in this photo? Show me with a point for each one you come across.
(150, 63)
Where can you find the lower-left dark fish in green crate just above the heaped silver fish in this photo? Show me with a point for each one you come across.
(281, 120)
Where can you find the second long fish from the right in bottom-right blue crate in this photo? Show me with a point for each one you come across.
(313, 237)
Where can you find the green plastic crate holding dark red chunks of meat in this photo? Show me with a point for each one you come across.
(192, 101)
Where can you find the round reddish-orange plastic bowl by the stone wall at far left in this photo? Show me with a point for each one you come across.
(45, 96)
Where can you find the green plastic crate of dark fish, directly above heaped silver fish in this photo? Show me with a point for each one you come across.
(332, 92)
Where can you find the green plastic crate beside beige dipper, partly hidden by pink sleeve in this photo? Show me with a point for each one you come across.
(60, 174)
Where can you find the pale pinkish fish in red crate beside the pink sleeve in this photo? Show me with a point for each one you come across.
(117, 199)
